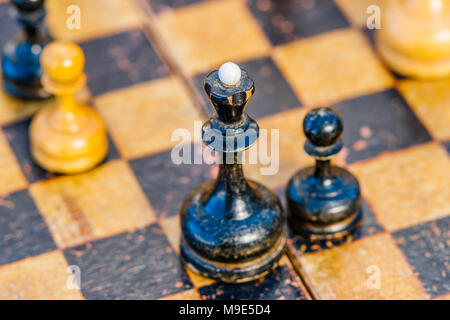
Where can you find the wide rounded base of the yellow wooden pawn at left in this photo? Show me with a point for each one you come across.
(62, 151)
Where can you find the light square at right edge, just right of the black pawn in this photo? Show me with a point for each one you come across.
(407, 187)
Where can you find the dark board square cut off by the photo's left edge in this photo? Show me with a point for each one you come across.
(23, 232)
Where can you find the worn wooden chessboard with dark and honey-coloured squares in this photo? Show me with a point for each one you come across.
(116, 227)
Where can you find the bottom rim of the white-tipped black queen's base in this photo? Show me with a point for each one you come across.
(232, 272)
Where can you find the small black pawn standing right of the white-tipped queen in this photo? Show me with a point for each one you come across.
(323, 200)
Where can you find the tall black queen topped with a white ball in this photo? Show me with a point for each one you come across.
(233, 229)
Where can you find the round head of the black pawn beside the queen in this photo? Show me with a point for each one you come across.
(323, 126)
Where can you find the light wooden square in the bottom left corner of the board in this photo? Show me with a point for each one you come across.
(44, 277)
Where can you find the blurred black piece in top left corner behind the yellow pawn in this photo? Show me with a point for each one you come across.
(21, 67)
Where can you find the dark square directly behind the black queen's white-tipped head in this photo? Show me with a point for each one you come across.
(272, 95)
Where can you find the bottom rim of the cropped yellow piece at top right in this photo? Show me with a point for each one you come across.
(412, 67)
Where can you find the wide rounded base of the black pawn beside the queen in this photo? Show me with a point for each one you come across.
(322, 208)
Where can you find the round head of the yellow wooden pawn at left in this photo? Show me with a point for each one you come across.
(62, 61)
